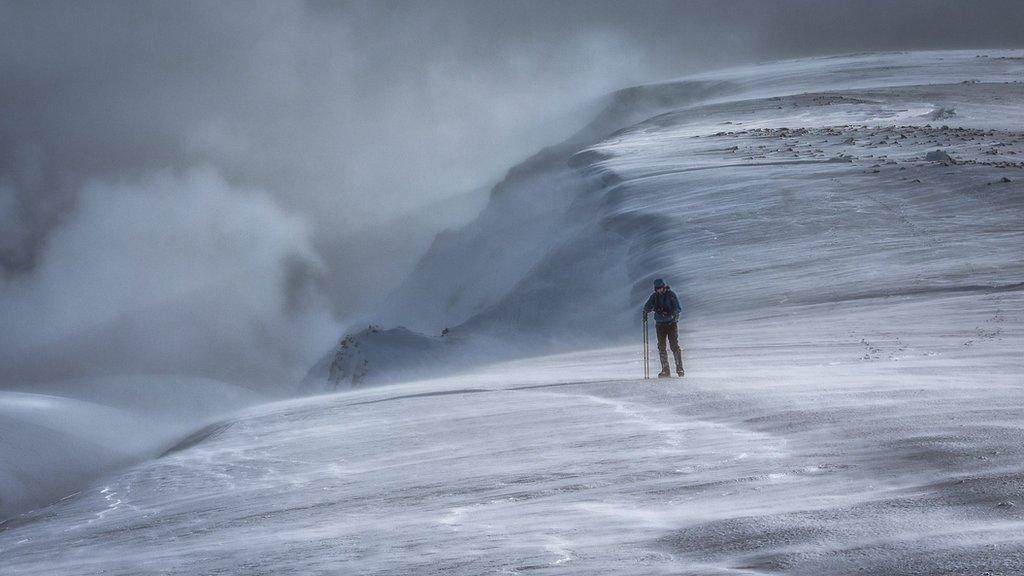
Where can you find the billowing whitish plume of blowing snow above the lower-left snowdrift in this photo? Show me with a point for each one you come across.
(173, 274)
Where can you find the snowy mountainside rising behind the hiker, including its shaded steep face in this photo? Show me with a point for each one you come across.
(757, 190)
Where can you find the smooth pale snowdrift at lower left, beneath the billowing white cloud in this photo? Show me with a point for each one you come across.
(61, 436)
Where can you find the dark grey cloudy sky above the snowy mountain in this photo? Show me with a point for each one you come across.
(332, 117)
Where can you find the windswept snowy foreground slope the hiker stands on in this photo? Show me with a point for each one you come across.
(840, 450)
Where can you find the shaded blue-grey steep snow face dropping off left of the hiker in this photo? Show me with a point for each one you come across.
(537, 241)
